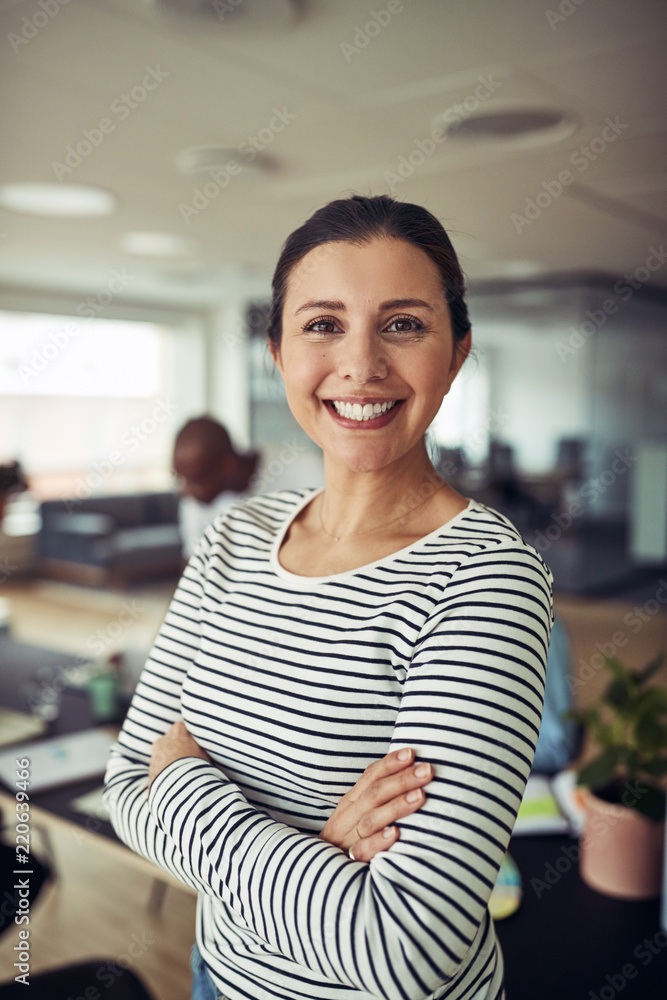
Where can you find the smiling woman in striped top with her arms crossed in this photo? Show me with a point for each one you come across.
(333, 653)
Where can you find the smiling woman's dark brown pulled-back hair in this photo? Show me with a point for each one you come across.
(358, 220)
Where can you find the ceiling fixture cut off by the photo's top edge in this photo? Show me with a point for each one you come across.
(231, 13)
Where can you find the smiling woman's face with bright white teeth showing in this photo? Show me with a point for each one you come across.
(367, 351)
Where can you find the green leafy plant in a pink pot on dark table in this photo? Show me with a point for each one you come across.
(624, 834)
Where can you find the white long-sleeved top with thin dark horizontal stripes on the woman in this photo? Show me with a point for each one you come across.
(294, 685)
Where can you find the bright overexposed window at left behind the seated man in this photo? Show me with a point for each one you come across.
(91, 406)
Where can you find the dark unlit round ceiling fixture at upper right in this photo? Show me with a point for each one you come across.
(507, 124)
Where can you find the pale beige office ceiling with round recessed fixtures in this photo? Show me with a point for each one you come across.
(341, 97)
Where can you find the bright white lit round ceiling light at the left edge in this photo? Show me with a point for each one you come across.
(65, 200)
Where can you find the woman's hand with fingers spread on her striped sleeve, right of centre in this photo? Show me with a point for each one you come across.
(389, 789)
